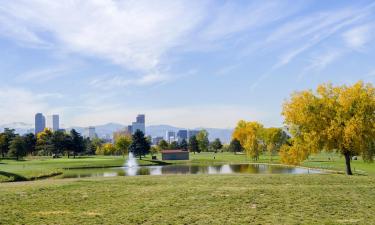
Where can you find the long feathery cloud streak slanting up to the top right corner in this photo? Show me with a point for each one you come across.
(304, 33)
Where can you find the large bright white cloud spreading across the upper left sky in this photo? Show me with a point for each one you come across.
(134, 34)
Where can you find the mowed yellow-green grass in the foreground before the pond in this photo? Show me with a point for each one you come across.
(192, 199)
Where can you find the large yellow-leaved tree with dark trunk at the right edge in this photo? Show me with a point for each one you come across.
(333, 118)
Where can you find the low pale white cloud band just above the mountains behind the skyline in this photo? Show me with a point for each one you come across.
(219, 116)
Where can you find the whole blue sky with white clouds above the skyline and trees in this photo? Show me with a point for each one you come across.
(193, 63)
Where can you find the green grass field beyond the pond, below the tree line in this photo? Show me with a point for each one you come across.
(42, 167)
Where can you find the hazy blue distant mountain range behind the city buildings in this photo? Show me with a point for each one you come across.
(109, 128)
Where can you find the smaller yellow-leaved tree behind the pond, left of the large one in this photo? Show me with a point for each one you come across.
(249, 135)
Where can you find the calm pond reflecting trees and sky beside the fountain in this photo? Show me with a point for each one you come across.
(187, 169)
